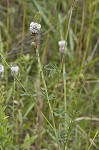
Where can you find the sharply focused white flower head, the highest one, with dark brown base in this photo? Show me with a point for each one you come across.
(34, 27)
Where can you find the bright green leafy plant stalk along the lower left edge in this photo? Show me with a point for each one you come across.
(5, 137)
